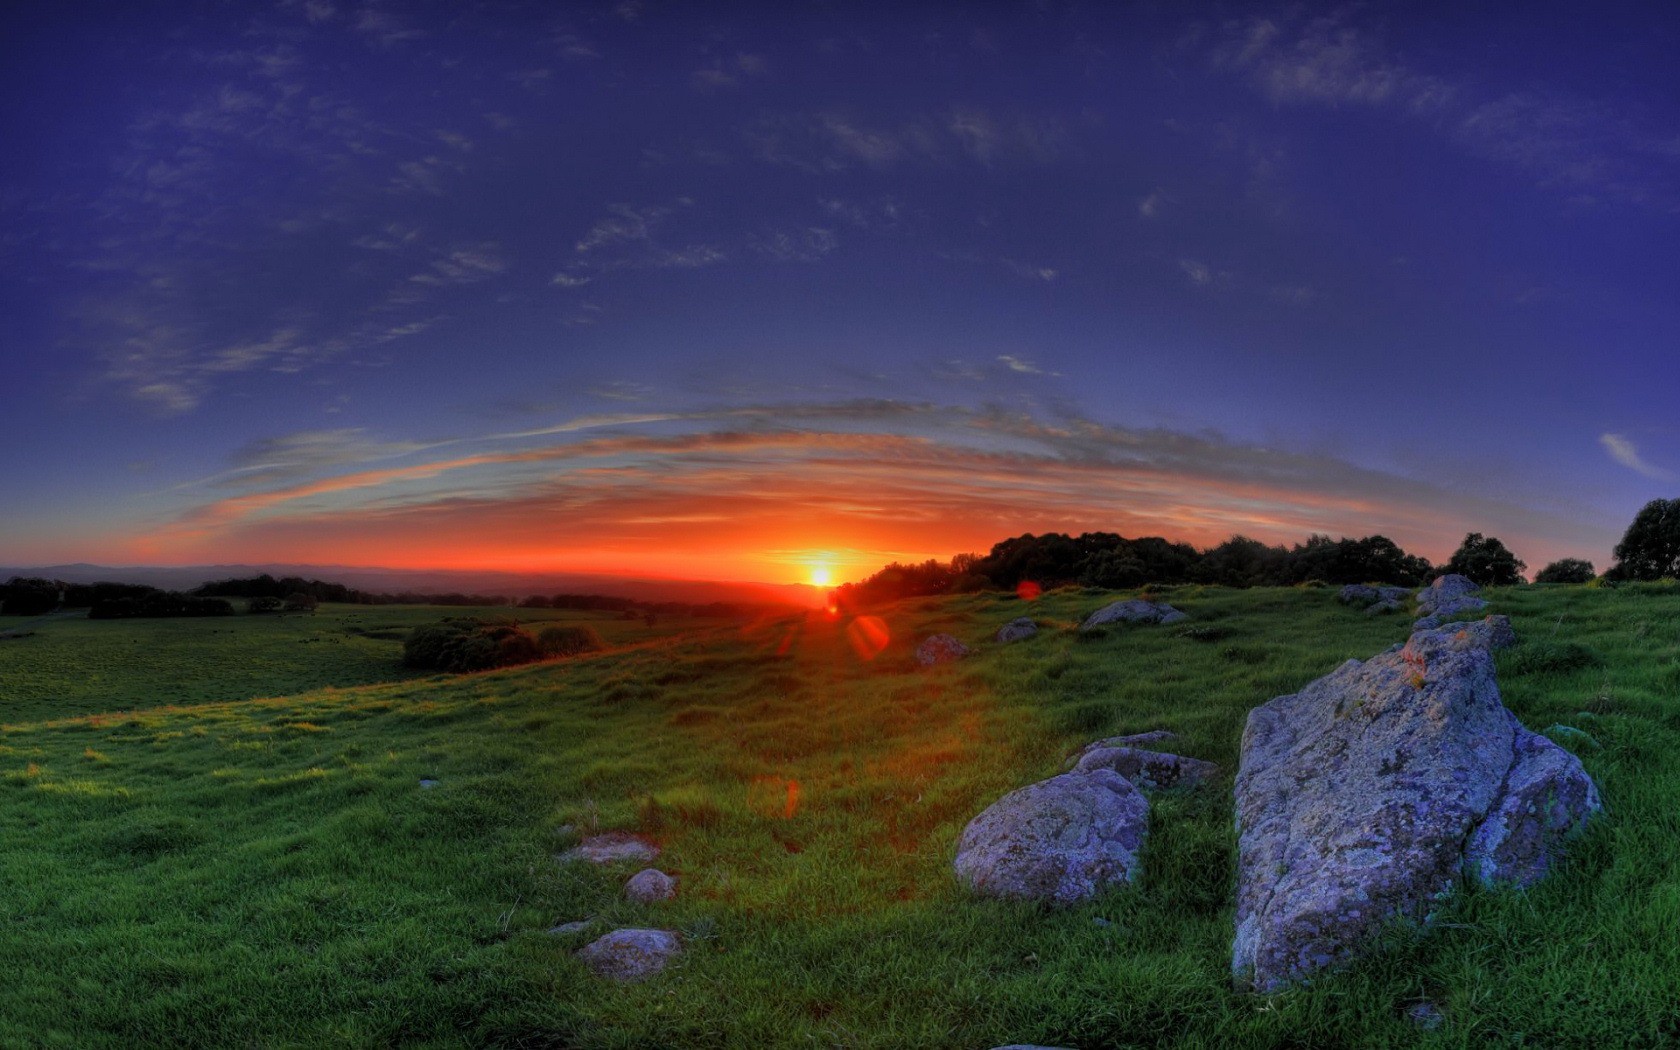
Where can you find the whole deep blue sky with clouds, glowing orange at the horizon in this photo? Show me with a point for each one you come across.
(772, 291)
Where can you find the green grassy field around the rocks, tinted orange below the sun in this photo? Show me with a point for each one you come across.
(270, 871)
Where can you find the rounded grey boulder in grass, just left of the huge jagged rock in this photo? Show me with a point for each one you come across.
(1061, 841)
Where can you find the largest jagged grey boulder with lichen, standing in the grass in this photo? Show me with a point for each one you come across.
(1367, 795)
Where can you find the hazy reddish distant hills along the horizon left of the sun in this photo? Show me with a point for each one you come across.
(515, 585)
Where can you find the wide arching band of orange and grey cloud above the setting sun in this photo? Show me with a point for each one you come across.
(727, 483)
